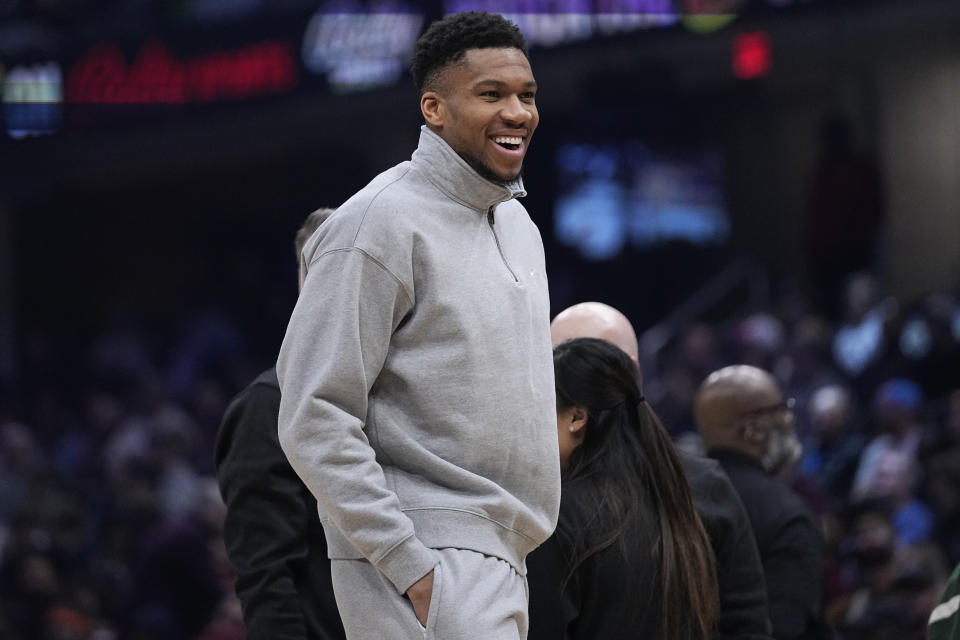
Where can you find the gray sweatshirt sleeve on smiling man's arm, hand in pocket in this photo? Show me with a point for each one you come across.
(333, 351)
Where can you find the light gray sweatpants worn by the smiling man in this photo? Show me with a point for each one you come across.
(475, 597)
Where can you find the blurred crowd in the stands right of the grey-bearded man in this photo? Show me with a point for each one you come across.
(877, 393)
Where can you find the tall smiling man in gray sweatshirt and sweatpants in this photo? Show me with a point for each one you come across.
(416, 373)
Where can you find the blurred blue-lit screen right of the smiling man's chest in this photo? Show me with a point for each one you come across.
(612, 196)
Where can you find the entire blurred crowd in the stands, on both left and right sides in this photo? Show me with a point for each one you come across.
(110, 517)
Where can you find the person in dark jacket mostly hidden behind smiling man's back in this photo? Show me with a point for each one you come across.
(272, 529)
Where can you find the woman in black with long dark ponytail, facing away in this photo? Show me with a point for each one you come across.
(630, 557)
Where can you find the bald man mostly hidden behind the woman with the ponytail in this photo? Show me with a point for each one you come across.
(743, 603)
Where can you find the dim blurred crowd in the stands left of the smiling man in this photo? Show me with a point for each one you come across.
(110, 514)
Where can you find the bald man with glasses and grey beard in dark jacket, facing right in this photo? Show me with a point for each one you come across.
(747, 425)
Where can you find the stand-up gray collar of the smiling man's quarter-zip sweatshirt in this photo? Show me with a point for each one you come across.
(450, 173)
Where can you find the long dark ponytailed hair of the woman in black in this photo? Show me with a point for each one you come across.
(628, 458)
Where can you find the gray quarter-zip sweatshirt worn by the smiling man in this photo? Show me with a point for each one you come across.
(417, 372)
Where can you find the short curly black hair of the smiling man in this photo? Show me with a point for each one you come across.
(447, 40)
